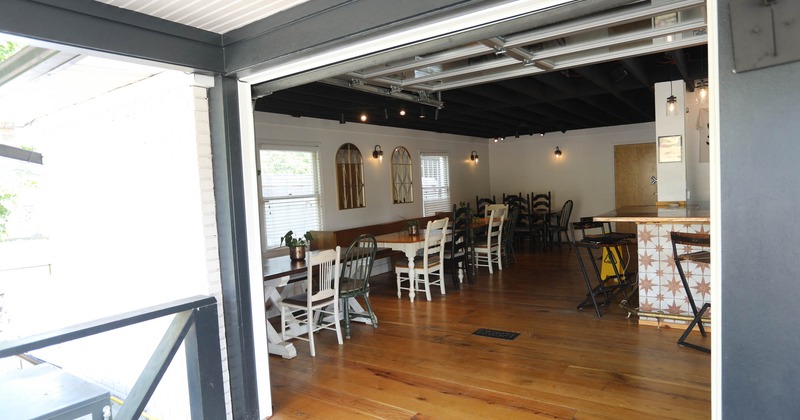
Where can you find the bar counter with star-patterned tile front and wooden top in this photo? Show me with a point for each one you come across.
(660, 287)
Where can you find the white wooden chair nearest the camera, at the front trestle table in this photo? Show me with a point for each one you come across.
(318, 307)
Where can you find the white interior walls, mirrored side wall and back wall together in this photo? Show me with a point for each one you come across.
(584, 173)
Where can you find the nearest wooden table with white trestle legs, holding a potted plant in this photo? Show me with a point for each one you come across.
(280, 272)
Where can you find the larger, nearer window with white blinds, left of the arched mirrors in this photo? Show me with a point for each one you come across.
(290, 198)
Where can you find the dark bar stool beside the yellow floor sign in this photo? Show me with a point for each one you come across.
(596, 238)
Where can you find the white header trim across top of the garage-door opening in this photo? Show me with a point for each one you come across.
(343, 56)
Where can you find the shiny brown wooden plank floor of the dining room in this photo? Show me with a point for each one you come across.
(424, 362)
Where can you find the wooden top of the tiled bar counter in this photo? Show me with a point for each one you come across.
(656, 214)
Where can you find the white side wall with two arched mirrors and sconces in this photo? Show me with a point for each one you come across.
(466, 178)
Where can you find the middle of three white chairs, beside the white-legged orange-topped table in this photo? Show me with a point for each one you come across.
(428, 264)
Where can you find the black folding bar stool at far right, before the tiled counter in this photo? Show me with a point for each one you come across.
(703, 256)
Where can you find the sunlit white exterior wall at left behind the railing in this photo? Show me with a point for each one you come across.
(132, 224)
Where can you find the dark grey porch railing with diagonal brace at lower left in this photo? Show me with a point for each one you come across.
(195, 324)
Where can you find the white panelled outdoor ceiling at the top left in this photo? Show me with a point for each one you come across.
(219, 16)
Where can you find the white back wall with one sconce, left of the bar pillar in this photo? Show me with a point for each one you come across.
(583, 174)
